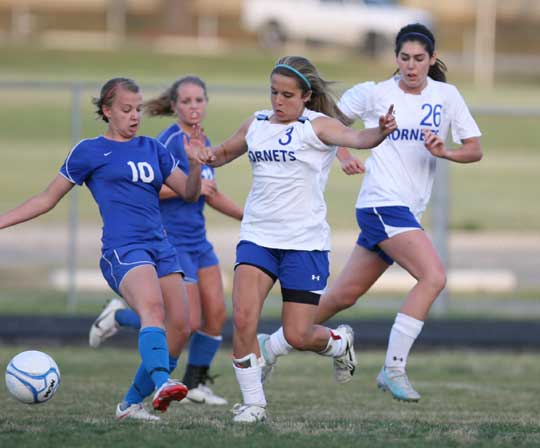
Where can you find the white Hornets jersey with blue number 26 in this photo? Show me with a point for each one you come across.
(400, 170)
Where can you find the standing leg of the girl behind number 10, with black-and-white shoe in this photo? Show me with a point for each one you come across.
(206, 340)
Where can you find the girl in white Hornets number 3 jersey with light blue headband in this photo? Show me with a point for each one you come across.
(284, 234)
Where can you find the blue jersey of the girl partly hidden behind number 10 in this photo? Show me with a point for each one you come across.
(183, 221)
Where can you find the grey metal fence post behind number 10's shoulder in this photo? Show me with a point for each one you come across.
(76, 94)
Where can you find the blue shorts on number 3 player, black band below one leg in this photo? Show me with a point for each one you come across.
(303, 274)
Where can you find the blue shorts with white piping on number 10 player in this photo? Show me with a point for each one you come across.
(116, 263)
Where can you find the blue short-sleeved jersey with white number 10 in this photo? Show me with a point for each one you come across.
(125, 179)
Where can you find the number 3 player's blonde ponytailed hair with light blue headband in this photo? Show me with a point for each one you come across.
(322, 99)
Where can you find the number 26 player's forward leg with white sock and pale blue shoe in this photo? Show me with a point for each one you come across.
(414, 251)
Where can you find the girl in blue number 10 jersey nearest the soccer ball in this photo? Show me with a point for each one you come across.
(124, 173)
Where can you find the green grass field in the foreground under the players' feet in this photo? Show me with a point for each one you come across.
(469, 399)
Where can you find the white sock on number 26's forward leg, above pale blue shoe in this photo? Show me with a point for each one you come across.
(402, 336)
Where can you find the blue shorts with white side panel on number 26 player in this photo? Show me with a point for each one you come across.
(380, 223)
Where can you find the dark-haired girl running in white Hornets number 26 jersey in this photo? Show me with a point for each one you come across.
(395, 192)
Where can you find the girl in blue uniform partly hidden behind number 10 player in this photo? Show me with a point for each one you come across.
(185, 225)
